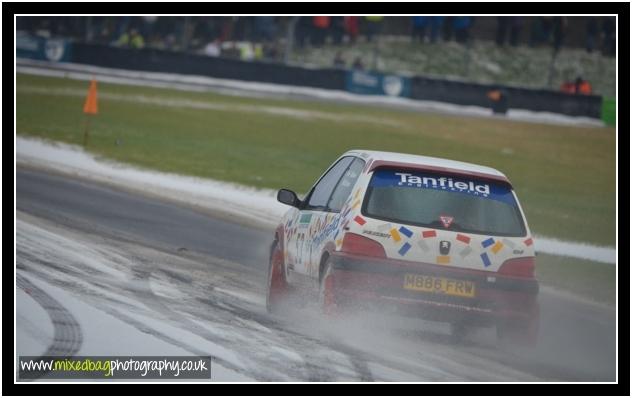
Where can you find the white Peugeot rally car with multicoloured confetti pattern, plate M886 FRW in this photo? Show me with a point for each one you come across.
(413, 235)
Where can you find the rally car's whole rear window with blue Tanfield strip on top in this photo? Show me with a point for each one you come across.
(443, 202)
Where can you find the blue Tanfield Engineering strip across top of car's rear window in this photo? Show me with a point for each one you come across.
(467, 186)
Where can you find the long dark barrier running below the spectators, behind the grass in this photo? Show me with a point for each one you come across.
(499, 98)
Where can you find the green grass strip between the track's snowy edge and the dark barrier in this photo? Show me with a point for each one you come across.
(564, 175)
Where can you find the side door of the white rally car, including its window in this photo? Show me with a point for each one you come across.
(314, 206)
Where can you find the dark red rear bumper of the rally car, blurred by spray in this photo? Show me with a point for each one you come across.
(378, 285)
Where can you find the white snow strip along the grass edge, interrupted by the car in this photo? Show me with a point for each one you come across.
(259, 206)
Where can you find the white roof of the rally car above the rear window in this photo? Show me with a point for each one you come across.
(385, 159)
